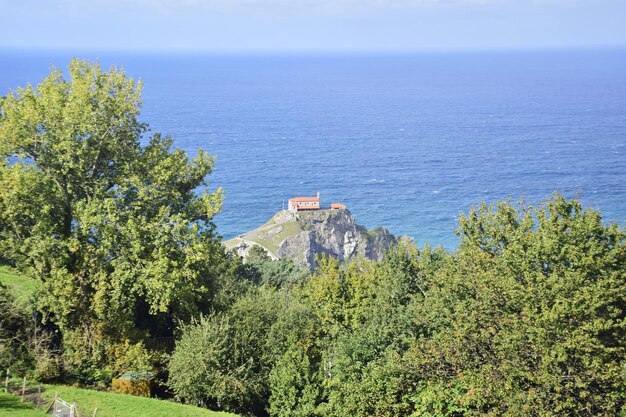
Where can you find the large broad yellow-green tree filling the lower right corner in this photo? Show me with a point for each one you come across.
(528, 318)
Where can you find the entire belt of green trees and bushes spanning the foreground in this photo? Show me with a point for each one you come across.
(526, 318)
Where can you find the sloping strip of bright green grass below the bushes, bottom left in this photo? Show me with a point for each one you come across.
(119, 405)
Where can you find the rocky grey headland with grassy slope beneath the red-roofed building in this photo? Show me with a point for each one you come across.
(301, 236)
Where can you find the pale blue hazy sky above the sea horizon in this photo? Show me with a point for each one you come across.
(311, 25)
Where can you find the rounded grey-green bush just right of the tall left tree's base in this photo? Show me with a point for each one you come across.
(225, 360)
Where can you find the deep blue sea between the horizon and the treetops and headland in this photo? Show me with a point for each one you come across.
(406, 141)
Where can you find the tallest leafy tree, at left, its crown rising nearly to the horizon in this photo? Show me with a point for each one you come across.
(116, 232)
